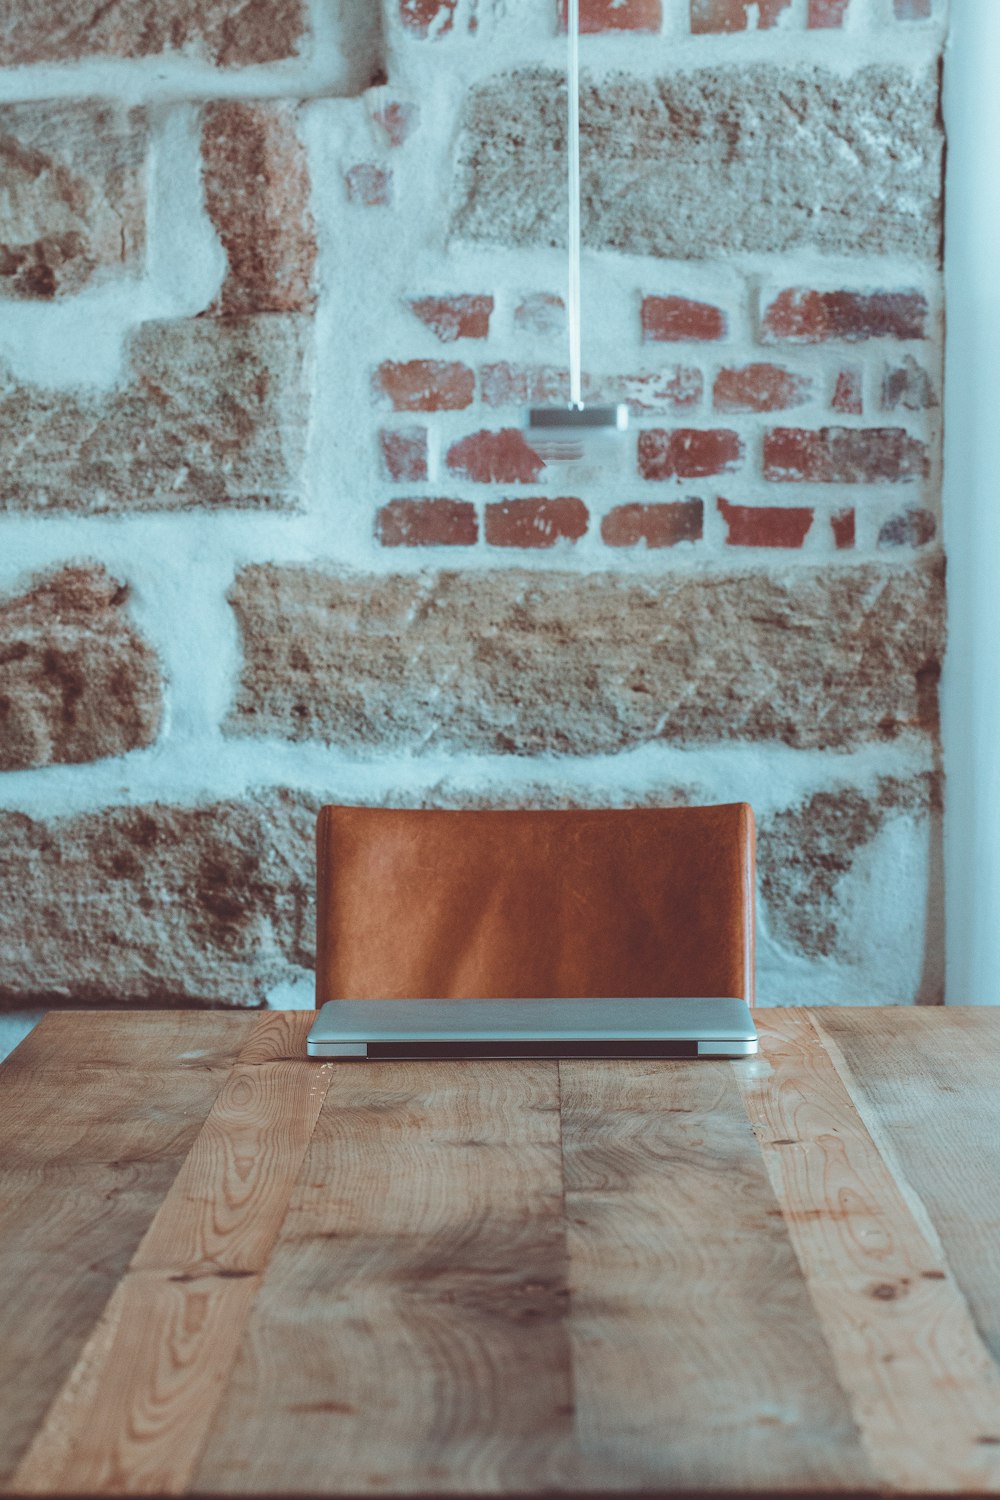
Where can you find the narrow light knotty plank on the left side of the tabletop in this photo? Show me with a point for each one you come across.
(136, 1411)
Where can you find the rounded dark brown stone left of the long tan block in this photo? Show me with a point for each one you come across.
(77, 680)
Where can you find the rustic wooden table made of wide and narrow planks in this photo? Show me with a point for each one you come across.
(230, 1270)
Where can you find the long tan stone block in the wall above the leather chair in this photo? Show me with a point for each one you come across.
(540, 662)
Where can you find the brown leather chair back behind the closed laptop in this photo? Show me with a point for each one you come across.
(421, 904)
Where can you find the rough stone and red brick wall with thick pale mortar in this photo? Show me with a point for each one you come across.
(278, 283)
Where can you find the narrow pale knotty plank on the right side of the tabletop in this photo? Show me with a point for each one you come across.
(923, 1388)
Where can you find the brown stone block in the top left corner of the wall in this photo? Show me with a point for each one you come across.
(209, 31)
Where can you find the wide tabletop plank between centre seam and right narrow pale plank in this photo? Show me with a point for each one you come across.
(699, 1363)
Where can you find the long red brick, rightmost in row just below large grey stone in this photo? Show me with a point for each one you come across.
(813, 317)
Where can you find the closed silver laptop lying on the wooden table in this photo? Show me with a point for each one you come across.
(635, 1028)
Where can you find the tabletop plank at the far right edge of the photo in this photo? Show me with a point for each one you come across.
(926, 1082)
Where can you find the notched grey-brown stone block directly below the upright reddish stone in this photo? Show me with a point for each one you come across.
(212, 413)
